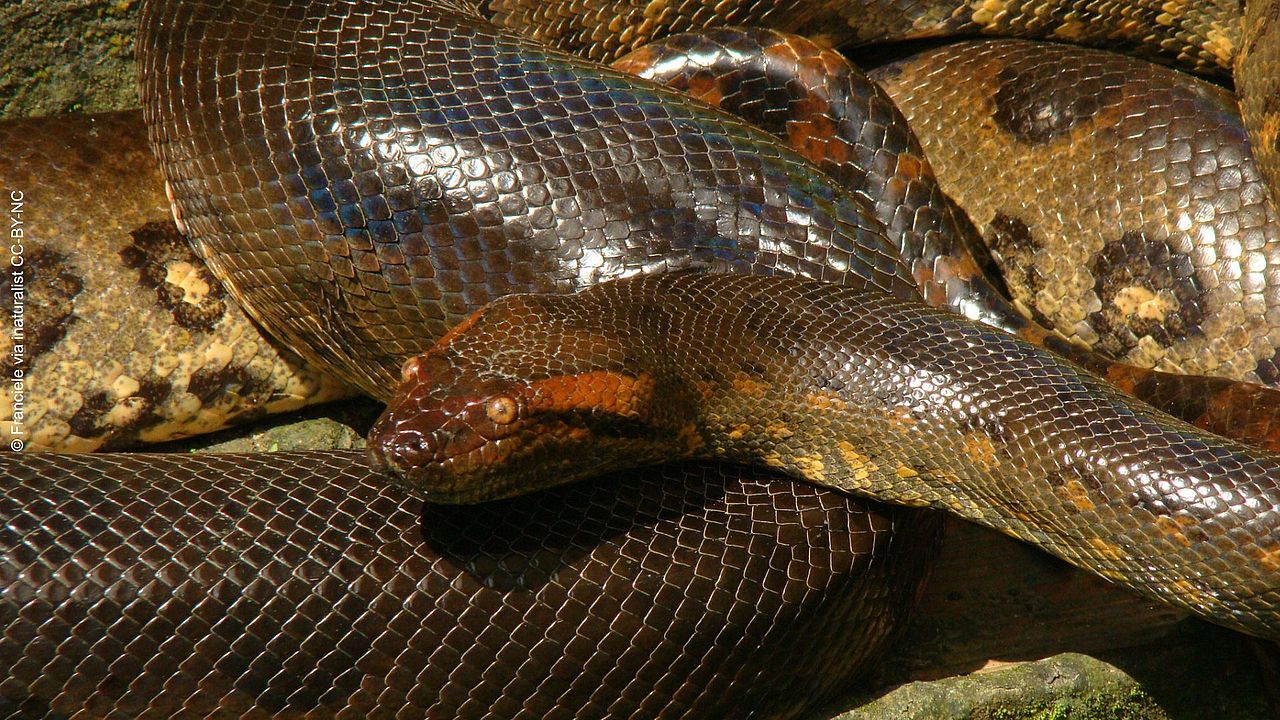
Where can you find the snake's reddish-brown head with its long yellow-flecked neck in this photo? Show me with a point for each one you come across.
(854, 391)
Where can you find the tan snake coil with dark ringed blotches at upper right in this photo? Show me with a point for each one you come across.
(1154, 156)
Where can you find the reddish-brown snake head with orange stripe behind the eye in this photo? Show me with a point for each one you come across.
(513, 403)
